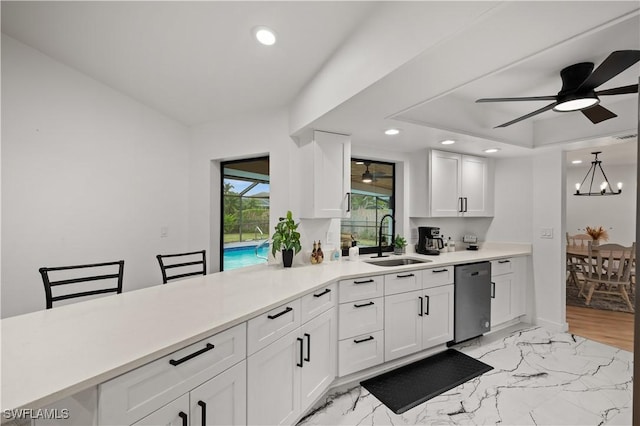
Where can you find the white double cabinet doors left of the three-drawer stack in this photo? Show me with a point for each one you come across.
(285, 377)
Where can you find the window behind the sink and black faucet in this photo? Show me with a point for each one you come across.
(372, 197)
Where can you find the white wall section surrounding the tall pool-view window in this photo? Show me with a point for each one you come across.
(247, 136)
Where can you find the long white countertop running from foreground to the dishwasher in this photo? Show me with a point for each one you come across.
(50, 354)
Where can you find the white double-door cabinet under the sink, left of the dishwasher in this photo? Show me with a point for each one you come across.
(417, 320)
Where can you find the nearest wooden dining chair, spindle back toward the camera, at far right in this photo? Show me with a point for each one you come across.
(608, 271)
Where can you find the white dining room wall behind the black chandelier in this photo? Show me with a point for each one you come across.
(617, 214)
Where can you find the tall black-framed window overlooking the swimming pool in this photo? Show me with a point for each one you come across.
(245, 213)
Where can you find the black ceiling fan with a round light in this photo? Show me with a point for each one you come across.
(578, 84)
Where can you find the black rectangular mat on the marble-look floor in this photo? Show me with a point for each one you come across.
(415, 383)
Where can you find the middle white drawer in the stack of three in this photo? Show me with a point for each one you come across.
(363, 316)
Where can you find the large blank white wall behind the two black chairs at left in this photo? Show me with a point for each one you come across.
(88, 175)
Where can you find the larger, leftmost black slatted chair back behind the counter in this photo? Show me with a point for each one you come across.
(81, 281)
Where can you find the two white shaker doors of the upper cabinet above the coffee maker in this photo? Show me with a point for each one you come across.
(459, 185)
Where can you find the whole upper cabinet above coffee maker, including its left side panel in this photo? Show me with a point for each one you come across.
(459, 185)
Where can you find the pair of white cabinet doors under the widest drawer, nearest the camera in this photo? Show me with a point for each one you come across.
(219, 401)
